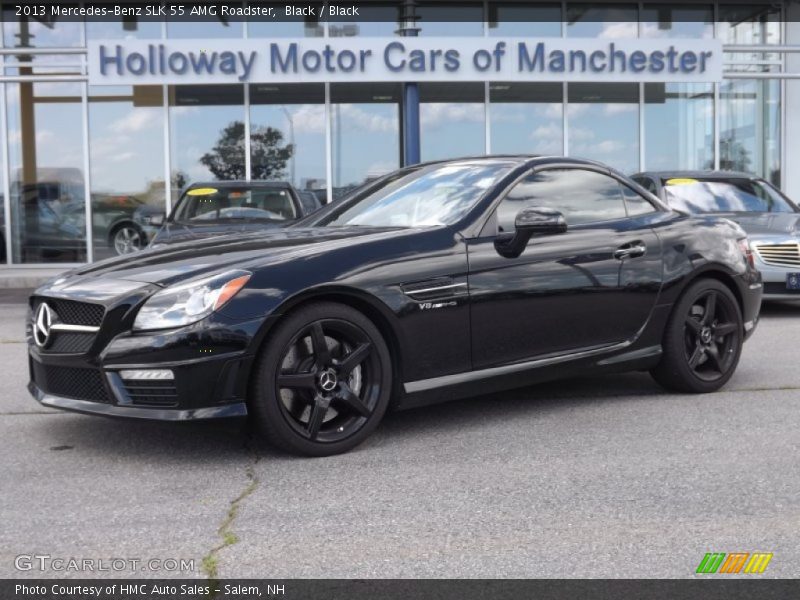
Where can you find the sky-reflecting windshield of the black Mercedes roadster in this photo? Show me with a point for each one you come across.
(432, 195)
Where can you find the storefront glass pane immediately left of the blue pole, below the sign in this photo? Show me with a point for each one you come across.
(365, 122)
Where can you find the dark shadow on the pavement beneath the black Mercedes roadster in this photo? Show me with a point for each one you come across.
(233, 442)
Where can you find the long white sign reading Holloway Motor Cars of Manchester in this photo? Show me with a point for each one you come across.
(296, 60)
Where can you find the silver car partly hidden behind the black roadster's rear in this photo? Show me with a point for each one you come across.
(771, 220)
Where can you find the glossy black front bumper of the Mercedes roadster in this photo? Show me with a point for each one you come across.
(210, 364)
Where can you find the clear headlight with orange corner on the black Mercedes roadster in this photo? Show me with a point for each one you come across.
(189, 302)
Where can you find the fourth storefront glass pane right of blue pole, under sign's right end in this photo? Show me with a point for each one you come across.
(679, 126)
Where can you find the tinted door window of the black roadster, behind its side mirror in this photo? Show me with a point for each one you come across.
(582, 196)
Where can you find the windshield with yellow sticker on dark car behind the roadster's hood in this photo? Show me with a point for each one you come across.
(203, 205)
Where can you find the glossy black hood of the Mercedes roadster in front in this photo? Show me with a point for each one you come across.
(176, 262)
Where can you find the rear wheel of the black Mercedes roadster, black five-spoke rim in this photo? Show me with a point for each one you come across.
(702, 341)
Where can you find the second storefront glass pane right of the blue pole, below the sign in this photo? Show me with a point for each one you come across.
(526, 118)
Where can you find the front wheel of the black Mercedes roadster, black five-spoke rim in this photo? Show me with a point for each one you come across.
(323, 381)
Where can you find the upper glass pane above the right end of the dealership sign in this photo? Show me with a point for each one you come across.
(676, 21)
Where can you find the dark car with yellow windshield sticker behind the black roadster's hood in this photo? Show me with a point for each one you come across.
(208, 209)
